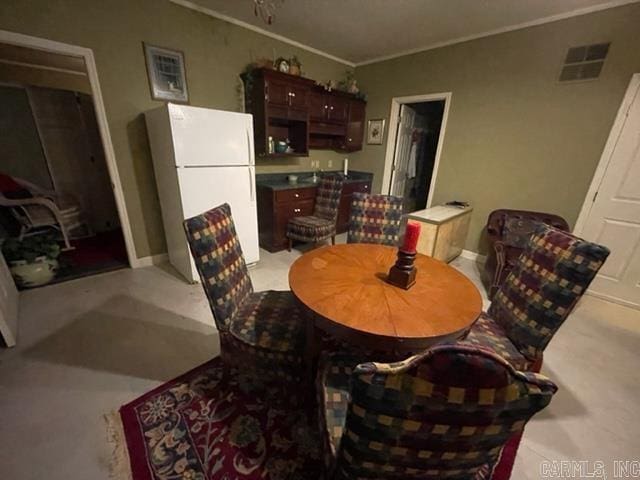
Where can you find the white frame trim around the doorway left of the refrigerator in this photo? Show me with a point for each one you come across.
(37, 43)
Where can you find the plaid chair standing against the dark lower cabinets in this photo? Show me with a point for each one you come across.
(322, 224)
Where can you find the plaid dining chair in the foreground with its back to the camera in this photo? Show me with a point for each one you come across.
(446, 413)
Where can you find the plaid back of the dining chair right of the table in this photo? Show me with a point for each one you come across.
(543, 287)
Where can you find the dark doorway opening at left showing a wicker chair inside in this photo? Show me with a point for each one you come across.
(55, 178)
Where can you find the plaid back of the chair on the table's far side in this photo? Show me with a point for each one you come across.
(375, 219)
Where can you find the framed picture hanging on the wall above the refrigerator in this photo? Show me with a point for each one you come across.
(167, 77)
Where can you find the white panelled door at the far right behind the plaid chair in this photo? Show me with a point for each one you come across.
(614, 217)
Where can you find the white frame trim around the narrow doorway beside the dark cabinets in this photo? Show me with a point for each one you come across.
(394, 117)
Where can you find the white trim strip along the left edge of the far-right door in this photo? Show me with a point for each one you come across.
(607, 153)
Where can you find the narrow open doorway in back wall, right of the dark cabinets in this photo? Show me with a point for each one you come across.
(416, 134)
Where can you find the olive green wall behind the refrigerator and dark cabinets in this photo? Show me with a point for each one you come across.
(215, 53)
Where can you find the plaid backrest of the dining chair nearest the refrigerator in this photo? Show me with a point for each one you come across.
(218, 257)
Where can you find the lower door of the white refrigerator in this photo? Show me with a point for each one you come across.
(202, 189)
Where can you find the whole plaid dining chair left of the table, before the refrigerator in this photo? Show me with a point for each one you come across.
(261, 333)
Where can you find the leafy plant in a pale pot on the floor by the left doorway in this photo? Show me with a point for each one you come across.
(32, 260)
